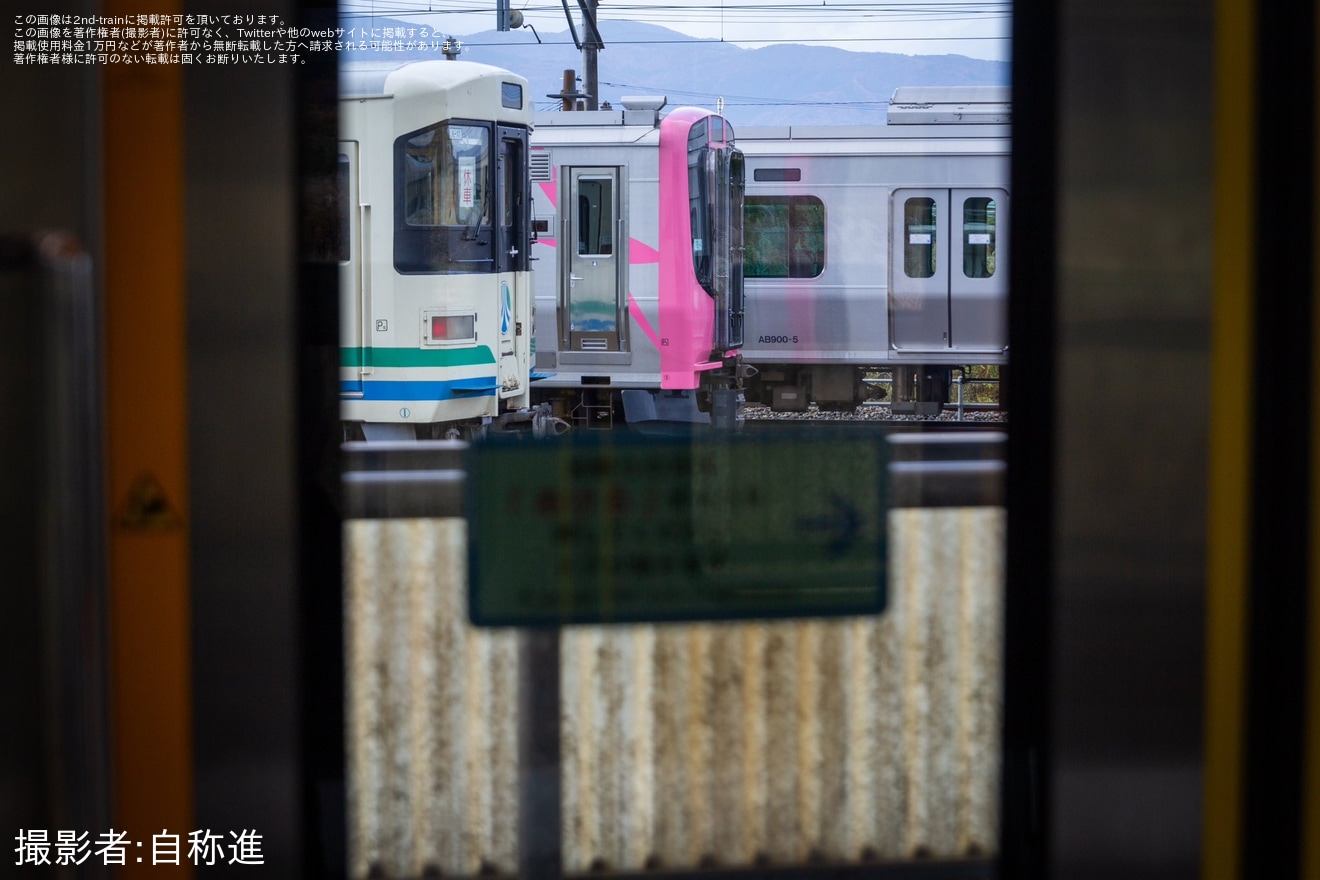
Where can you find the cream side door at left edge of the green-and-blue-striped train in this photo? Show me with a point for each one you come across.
(354, 282)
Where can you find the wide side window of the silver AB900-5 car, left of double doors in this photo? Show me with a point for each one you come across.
(785, 237)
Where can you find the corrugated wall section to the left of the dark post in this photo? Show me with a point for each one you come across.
(432, 733)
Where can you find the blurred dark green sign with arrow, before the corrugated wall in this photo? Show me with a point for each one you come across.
(610, 527)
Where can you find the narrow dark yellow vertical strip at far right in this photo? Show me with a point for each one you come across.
(1231, 443)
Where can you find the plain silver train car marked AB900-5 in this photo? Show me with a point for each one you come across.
(878, 249)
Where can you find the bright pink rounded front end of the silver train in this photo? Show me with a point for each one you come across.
(702, 287)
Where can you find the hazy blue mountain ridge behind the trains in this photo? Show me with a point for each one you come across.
(807, 85)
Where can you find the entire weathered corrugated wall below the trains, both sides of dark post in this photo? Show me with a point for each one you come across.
(694, 745)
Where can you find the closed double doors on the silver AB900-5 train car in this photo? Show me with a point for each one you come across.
(948, 271)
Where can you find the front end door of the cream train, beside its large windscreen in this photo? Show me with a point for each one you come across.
(511, 254)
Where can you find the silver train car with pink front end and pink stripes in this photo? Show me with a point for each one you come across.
(638, 257)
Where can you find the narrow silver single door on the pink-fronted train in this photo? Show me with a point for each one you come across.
(592, 265)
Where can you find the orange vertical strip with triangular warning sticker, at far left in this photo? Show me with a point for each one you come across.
(147, 448)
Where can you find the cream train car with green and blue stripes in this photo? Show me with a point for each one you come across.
(435, 268)
